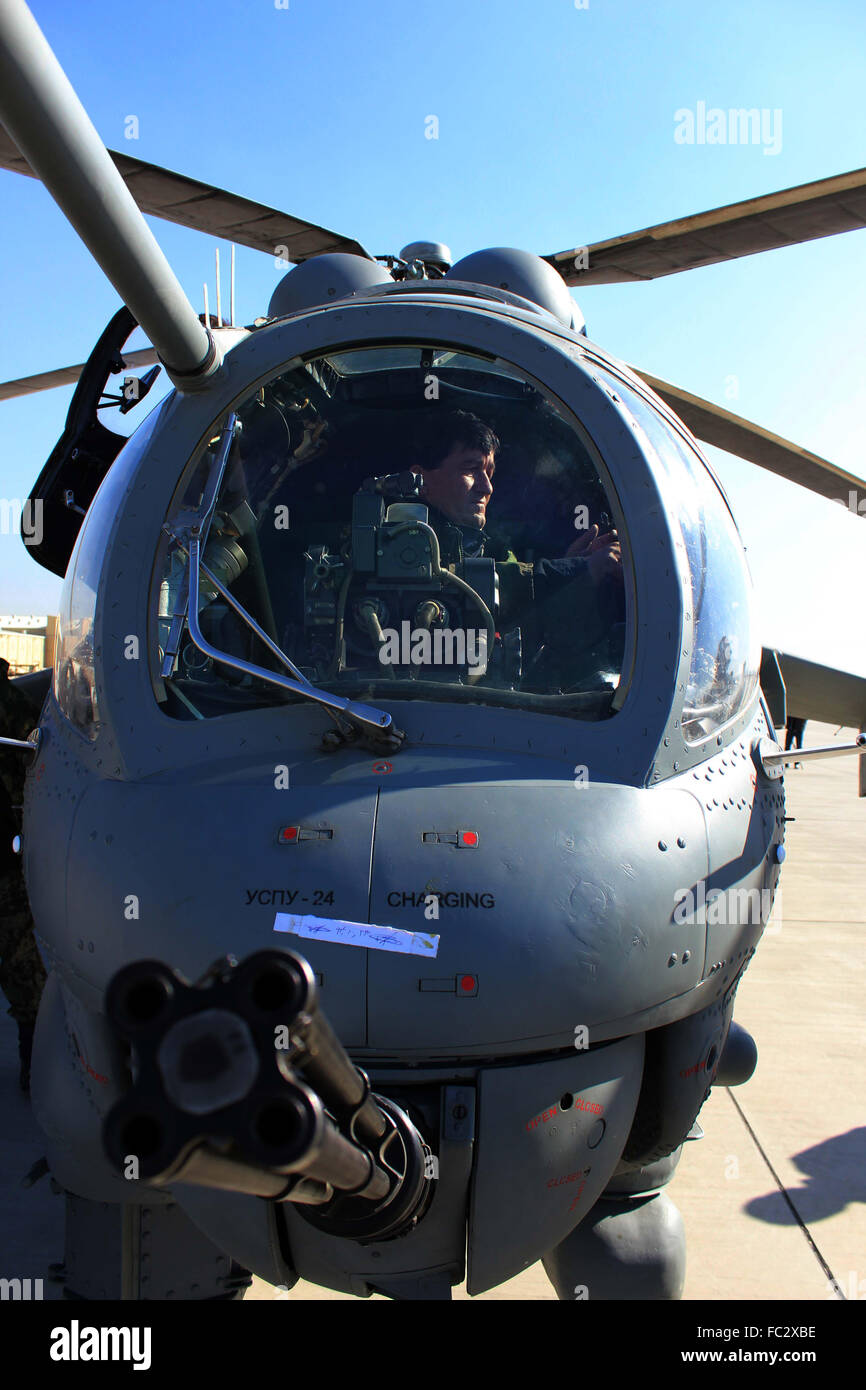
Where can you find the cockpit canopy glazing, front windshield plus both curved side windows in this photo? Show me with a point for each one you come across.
(419, 522)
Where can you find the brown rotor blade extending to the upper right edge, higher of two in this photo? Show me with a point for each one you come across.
(758, 224)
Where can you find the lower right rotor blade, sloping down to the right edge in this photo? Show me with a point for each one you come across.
(740, 437)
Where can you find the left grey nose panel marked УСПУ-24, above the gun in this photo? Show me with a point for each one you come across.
(213, 889)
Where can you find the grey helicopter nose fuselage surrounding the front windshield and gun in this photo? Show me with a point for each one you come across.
(596, 888)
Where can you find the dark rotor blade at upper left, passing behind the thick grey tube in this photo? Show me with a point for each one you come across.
(206, 209)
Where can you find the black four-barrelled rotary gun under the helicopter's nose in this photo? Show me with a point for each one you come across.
(241, 1084)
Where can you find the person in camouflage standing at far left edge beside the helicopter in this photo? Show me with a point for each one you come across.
(22, 970)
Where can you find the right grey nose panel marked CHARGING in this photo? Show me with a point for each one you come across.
(586, 939)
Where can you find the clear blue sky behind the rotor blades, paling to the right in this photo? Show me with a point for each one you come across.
(557, 129)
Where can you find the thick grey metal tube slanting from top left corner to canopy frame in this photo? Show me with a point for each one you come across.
(54, 131)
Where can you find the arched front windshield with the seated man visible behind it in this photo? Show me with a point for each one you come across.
(407, 522)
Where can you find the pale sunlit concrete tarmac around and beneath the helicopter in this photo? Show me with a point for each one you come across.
(775, 1195)
